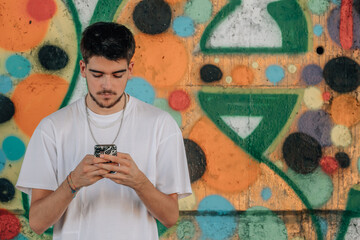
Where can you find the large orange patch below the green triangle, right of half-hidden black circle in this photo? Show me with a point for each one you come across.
(229, 169)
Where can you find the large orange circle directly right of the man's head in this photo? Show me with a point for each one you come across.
(161, 59)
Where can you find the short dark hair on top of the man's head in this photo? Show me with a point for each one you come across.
(107, 39)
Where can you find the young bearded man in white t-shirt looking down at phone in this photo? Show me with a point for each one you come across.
(106, 197)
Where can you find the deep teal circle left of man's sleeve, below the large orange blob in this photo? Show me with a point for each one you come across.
(13, 148)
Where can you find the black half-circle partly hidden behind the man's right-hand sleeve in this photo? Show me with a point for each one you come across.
(196, 160)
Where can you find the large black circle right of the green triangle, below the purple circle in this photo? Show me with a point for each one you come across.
(301, 152)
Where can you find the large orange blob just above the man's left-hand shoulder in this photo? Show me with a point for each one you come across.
(35, 98)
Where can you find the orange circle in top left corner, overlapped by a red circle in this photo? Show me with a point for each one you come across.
(22, 31)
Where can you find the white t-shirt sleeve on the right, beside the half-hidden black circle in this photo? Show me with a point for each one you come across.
(172, 169)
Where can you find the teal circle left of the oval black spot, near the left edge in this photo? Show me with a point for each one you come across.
(18, 66)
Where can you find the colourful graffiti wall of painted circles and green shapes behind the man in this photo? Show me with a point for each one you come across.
(265, 93)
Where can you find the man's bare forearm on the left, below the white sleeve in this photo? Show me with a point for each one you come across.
(49, 207)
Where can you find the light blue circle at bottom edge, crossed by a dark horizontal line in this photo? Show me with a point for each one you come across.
(216, 223)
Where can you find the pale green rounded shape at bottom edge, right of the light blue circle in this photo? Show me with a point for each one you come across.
(260, 223)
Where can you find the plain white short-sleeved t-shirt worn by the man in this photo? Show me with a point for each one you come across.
(106, 210)
